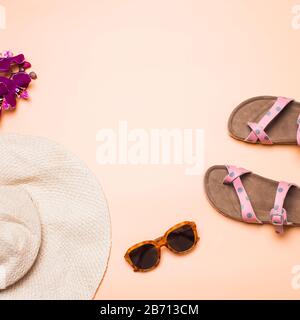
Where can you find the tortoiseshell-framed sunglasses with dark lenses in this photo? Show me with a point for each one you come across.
(180, 239)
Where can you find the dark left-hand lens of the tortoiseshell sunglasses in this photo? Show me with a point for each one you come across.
(144, 257)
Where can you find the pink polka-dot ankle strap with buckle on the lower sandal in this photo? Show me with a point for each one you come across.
(278, 214)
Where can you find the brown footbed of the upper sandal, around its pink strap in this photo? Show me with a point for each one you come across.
(282, 130)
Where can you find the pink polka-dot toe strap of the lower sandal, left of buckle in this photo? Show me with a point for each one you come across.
(234, 178)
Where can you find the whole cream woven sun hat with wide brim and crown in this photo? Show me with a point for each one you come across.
(54, 222)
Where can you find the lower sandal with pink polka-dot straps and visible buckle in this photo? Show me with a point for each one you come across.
(244, 196)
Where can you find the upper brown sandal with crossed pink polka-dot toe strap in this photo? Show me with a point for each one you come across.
(266, 120)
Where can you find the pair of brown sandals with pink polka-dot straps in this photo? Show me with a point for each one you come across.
(244, 196)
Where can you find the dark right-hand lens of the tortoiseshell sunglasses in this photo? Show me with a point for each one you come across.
(181, 239)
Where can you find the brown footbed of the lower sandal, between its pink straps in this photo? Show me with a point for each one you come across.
(261, 192)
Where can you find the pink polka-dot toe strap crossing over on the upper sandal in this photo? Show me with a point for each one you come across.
(258, 129)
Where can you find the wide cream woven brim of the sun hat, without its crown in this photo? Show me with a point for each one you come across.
(75, 222)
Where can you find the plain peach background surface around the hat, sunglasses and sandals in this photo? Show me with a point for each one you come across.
(165, 64)
